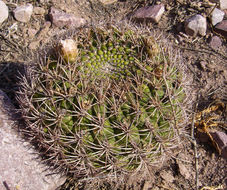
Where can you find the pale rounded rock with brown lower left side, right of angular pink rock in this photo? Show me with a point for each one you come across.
(196, 25)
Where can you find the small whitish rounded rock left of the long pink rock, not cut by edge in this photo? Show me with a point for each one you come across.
(23, 13)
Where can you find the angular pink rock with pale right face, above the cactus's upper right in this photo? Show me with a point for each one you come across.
(150, 13)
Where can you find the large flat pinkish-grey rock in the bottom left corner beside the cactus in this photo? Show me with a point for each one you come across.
(19, 166)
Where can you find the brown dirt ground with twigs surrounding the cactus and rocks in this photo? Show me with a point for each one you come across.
(205, 67)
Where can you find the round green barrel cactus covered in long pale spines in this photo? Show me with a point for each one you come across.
(114, 108)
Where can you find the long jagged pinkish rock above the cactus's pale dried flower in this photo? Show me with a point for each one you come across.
(60, 19)
